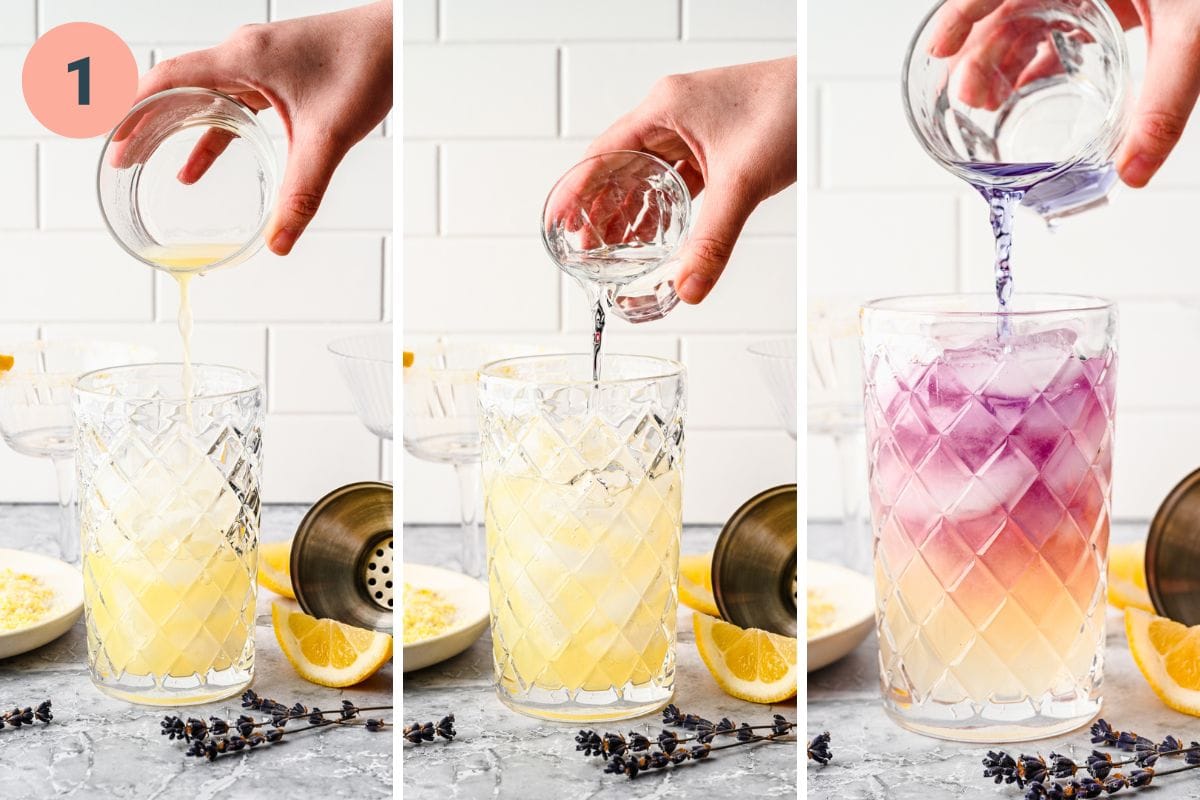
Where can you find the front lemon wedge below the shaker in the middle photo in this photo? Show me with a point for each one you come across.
(748, 664)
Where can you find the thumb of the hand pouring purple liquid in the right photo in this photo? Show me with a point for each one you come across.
(1169, 94)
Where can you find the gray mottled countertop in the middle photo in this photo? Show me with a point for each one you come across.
(500, 754)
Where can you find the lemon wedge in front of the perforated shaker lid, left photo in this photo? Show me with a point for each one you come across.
(327, 652)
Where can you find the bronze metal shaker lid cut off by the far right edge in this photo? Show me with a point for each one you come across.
(1173, 554)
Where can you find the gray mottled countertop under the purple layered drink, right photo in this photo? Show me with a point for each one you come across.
(875, 759)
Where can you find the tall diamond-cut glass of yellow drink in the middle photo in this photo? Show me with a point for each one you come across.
(583, 506)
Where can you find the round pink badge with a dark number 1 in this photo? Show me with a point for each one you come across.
(80, 80)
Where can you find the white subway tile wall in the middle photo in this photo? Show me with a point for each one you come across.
(501, 100)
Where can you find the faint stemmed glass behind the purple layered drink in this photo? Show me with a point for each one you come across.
(836, 411)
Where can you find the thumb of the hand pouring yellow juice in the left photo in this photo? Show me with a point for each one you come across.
(311, 165)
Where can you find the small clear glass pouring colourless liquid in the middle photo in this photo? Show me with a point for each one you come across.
(616, 222)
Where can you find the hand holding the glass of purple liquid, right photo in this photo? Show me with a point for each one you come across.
(1005, 57)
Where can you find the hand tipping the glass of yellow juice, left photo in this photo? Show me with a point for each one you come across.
(328, 77)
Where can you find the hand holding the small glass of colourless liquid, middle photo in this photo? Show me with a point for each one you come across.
(731, 134)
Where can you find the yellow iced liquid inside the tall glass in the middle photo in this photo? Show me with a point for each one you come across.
(584, 592)
